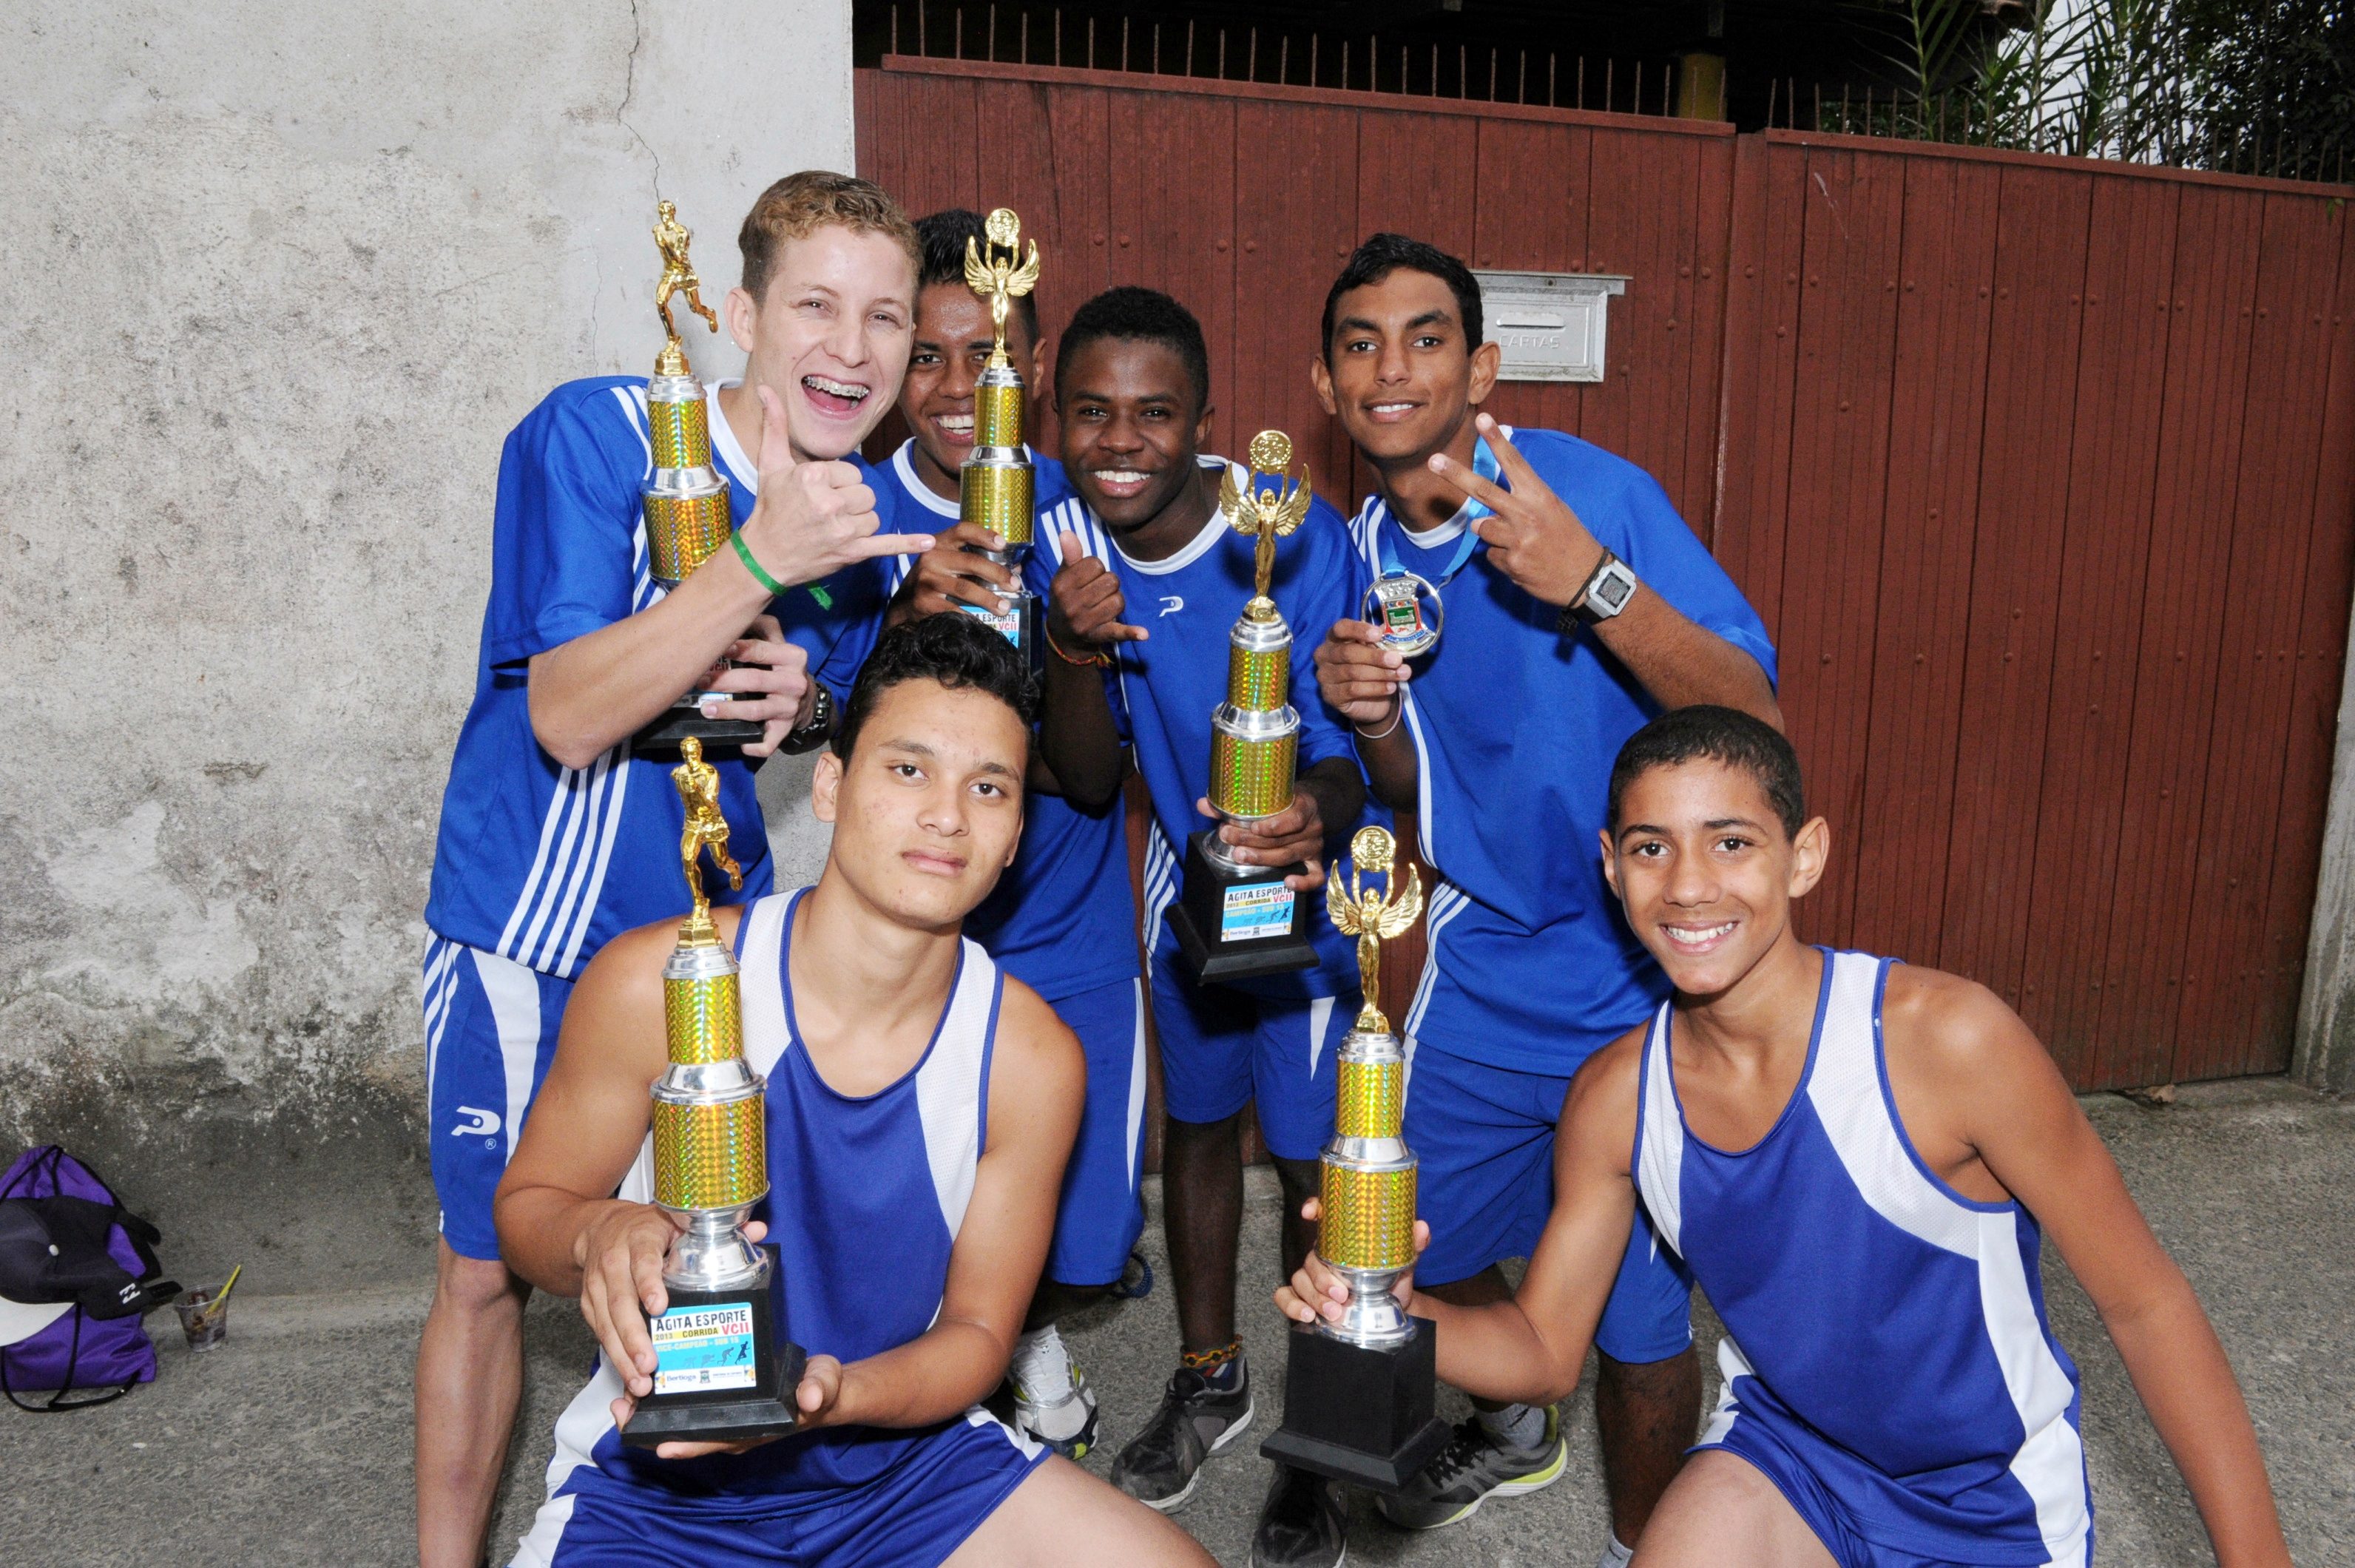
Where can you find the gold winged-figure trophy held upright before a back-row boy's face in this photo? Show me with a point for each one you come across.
(997, 484)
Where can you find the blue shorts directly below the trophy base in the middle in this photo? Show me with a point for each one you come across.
(1223, 1049)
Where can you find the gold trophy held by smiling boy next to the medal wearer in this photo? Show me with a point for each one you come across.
(1238, 919)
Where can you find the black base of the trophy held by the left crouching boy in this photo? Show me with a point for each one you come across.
(731, 1409)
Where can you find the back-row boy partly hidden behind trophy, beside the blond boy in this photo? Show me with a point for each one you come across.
(1063, 919)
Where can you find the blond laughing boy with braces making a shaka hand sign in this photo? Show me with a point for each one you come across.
(555, 837)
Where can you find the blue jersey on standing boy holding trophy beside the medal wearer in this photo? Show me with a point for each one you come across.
(1169, 686)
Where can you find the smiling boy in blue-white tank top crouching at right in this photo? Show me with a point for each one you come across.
(1857, 1160)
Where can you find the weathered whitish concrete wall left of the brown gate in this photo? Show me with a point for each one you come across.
(274, 284)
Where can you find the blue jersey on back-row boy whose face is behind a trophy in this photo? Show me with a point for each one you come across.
(1061, 919)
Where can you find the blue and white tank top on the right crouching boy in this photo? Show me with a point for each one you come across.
(1883, 1331)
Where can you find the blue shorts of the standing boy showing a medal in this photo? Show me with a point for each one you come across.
(1487, 1185)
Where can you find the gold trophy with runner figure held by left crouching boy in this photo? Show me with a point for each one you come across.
(724, 1360)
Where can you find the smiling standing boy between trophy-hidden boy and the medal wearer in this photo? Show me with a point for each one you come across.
(1136, 630)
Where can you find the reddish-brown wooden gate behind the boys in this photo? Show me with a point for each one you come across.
(2043, 472)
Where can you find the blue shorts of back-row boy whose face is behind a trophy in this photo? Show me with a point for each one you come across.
(1101, 1211)
